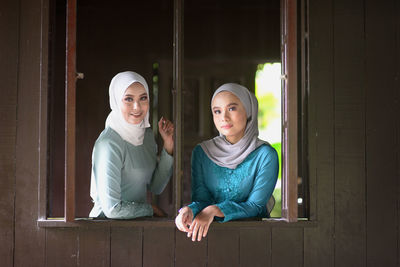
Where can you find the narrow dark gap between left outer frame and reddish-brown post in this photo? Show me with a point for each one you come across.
(56, 99)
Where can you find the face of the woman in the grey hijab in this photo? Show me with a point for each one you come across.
(229, 116)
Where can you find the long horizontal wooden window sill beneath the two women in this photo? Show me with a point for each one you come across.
(167, 222)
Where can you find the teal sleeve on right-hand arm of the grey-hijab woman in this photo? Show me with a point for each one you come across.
(264, 184)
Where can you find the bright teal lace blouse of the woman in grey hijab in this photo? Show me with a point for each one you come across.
(239, 193)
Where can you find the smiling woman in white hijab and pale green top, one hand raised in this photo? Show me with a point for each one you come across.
(124, 159)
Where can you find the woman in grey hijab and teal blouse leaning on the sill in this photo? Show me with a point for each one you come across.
(233, 174)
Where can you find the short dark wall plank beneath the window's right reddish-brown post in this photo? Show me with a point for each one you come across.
(287, 246)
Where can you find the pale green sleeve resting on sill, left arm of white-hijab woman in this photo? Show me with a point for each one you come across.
(107, 166)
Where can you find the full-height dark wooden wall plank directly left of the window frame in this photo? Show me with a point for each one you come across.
(29, 240)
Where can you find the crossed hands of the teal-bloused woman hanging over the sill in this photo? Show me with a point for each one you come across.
(198, 227)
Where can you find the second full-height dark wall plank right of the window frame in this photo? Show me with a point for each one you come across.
(349, 86)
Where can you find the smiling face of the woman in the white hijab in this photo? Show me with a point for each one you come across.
(135, 103)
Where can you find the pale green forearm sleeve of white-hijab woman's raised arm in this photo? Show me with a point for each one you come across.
(162, 173)
